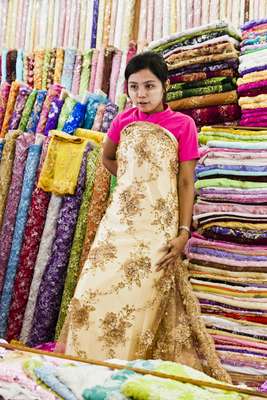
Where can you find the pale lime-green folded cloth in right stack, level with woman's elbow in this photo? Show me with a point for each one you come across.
(228, 183)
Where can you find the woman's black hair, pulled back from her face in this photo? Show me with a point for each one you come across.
(148, 60)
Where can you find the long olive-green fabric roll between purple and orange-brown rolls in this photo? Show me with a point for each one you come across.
(79, 236)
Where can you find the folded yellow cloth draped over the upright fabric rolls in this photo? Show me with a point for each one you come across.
(62, 164)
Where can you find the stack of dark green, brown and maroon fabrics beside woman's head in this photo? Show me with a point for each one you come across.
(203, 65)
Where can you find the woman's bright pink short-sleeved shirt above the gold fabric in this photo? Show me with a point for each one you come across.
(180, 125)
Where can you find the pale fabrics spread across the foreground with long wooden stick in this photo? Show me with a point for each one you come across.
(27, 374)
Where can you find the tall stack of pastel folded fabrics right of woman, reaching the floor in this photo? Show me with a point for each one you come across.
(228, 251)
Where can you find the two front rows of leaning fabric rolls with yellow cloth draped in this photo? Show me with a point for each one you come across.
(53, 193)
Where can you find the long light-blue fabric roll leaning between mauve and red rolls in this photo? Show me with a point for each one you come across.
(22, 213)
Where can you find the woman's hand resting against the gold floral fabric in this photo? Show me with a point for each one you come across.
(174, 250)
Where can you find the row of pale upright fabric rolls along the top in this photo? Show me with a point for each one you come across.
(28, 24)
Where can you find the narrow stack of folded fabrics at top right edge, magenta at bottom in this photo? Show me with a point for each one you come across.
(252, 84)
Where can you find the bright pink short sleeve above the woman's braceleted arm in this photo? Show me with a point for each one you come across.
(188, 141)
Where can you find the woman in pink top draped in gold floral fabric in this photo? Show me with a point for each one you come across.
(129, 299)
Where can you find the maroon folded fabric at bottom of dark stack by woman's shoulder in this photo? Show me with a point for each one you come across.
(214, 114)
